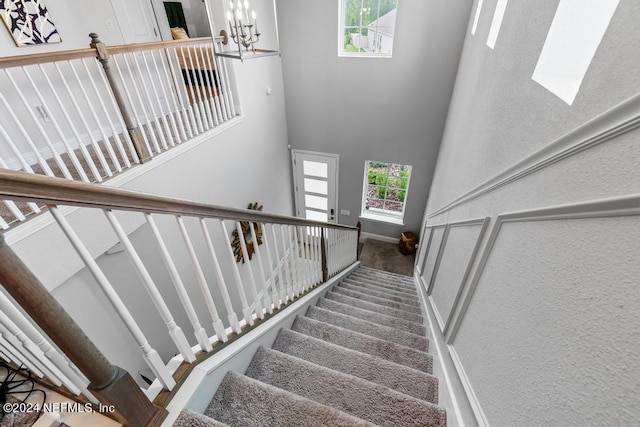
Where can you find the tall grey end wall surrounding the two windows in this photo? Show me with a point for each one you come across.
(371, 108)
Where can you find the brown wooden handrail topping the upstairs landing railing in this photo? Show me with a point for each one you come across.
(67, 55)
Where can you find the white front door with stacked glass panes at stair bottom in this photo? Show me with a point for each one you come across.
(315, 177)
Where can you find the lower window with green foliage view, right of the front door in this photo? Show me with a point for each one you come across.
(385, 191)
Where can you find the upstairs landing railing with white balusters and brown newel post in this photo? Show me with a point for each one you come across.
(89, 114)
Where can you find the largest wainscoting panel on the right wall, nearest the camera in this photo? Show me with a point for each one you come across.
(548, 333)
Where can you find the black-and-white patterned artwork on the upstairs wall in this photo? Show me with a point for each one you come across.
(28, 22)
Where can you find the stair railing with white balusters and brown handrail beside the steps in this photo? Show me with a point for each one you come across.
(283, 258)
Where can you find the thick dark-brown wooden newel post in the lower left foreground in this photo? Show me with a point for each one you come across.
(110, 384)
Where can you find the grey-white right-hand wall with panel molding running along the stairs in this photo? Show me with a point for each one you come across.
(542, 331)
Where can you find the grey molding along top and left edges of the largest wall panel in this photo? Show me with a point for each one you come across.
(616, 207)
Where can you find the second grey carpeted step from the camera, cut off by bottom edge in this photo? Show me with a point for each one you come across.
(245, 402)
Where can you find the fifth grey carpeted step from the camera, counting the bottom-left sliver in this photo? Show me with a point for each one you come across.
(363, 343)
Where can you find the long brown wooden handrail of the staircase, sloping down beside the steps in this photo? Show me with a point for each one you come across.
(58, 191)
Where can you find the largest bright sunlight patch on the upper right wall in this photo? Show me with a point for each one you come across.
(575, 34)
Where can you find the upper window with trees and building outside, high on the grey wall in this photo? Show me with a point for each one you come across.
(367, 27)
